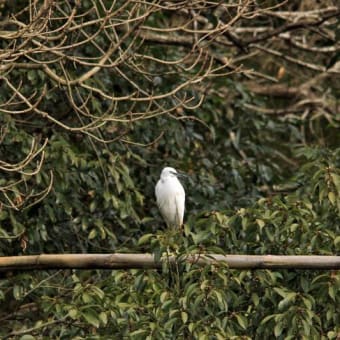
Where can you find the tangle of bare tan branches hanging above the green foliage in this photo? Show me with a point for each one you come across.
(98, 63)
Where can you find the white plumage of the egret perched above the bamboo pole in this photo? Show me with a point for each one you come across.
(170, 197)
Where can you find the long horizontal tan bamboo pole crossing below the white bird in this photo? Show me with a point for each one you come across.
(147, 261)
